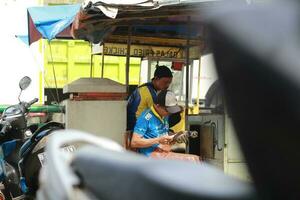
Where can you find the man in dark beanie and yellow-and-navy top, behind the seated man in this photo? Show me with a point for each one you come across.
(143, 97)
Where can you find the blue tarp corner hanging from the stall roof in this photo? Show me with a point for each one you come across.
(51, 20)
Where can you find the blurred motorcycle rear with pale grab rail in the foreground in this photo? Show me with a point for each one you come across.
(102, 169)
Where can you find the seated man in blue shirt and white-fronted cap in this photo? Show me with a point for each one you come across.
(151, 132)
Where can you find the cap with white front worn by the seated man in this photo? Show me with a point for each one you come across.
(168, 99)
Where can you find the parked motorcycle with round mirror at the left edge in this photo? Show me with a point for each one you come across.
(21, 147)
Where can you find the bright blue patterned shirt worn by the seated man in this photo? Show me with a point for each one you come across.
(148, 126)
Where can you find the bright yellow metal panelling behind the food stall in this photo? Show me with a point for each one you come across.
(72, 60)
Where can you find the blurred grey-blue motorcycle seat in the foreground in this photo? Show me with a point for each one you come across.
(116, 175)
